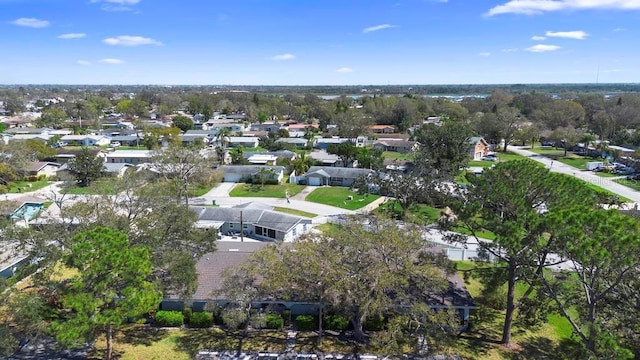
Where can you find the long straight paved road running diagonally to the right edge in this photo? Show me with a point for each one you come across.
(588, 176)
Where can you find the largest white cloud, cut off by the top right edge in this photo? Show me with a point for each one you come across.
(535, 7)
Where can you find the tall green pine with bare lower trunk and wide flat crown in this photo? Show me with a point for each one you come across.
(511, 200)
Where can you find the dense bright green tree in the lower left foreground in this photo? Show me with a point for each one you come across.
(109, 286)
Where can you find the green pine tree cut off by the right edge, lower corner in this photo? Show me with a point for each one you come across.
(601, 248)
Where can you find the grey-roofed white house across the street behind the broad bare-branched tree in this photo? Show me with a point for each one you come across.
(257, 222)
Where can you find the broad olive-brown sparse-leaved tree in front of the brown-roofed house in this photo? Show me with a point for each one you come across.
(362, 269)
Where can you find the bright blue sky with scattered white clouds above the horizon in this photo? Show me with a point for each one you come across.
(319, 42)
